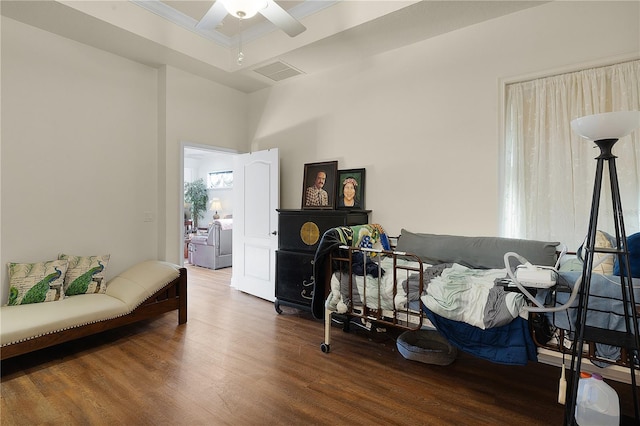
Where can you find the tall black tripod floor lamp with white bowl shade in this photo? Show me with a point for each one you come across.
(605, 130)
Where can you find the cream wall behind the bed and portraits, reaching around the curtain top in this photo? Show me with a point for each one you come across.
(424, 120)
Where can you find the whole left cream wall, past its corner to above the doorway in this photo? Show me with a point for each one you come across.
(92, 142)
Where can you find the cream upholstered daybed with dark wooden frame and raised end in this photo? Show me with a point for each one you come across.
(143, 291)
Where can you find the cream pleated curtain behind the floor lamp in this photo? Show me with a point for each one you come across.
(549, 171)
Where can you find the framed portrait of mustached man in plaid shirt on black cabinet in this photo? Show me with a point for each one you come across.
(321, 195)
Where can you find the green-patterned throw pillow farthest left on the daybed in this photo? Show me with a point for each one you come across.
(36, 282)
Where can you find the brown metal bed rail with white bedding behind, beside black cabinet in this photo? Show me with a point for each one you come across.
(379, 301)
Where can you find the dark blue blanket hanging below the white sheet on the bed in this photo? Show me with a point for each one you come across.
(509, 344)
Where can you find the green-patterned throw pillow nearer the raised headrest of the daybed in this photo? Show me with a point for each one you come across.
(85, 274)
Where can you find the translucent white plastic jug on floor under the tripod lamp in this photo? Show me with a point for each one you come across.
(597, 403)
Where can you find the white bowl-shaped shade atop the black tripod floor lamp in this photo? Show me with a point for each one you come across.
(609, 125)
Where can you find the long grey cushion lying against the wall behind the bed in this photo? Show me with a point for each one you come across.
(474, 252)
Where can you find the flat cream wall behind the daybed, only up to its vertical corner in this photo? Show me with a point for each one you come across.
(79, 165)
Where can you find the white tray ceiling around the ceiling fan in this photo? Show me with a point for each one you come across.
(163, 32)
